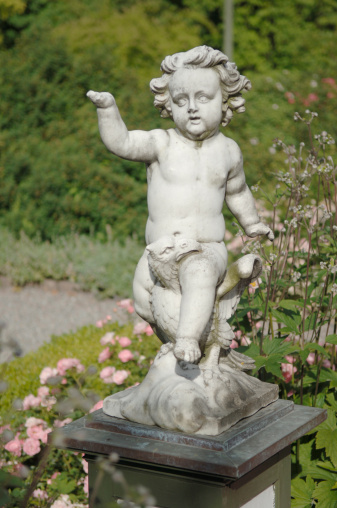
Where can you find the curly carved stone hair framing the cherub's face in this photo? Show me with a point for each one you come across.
(232, 82)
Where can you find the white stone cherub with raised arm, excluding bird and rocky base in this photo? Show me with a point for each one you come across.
(191, 170)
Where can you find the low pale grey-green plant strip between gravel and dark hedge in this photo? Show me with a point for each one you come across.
(103, 267)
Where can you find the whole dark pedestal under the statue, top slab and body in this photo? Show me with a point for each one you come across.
(248, 466)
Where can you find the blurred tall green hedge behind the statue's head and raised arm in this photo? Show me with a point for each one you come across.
(55, 174)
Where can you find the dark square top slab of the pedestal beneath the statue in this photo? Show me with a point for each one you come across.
(232, 454)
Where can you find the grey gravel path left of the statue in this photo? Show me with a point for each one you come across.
(29, 316)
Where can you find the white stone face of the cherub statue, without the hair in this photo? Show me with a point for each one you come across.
(196, 102)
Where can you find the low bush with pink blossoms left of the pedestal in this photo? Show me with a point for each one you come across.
(58, 395)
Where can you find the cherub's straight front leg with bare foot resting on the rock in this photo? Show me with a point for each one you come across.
(199, 276)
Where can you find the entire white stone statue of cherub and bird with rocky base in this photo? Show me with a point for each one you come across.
(182, 284)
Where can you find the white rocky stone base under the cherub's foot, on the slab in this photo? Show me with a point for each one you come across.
(191, 398)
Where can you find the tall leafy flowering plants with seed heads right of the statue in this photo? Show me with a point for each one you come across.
(289, 315)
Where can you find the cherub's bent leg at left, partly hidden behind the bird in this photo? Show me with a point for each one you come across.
(143, 283)
